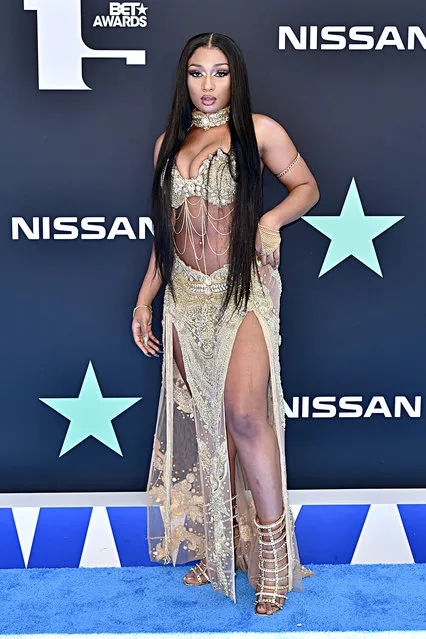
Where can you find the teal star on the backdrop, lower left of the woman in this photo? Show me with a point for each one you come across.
(90, 413)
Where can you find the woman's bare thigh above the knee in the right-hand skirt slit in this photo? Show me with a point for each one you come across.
(247, 378)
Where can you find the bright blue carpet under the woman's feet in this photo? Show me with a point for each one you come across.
(154, 600)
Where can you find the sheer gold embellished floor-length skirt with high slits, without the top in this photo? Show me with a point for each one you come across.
(190, 515)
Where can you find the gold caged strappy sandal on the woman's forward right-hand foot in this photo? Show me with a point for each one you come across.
(272, 585)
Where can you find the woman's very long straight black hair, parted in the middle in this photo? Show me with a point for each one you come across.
(248, 200)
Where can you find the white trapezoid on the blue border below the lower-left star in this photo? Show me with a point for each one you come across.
(99, 549)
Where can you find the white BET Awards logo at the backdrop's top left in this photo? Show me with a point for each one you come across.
(61, 48)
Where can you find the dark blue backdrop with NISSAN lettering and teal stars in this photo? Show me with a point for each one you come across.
(86, 87)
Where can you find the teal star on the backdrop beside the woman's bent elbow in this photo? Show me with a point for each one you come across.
(352, 232)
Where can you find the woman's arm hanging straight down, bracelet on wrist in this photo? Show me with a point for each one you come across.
(142, 320)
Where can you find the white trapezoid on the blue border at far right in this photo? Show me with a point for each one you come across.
(383, 539)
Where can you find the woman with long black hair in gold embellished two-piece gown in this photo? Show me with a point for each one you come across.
(218, 477)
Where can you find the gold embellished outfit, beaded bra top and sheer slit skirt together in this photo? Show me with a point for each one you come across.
(190, 515)
